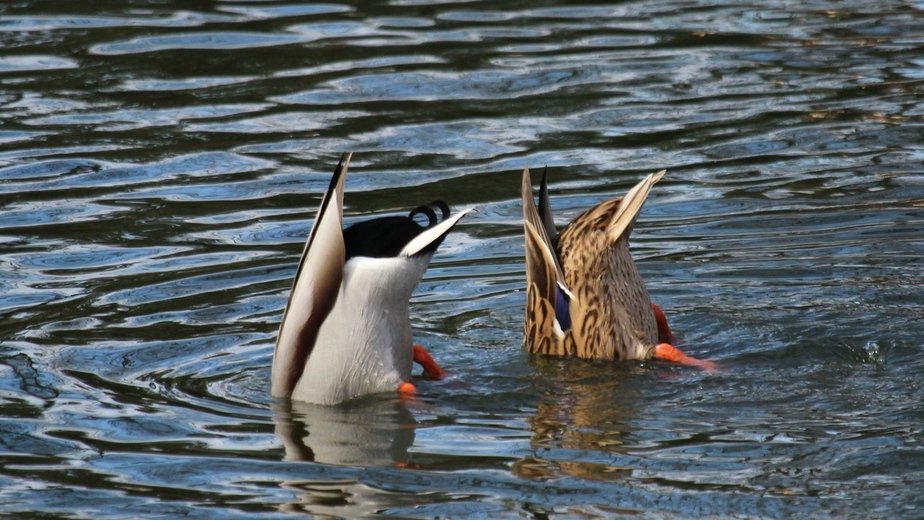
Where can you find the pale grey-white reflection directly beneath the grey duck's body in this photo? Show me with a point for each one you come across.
(368, 432)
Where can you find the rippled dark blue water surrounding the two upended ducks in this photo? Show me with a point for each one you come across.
(160, 164)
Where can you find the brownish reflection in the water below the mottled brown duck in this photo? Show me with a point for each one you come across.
(581, 422)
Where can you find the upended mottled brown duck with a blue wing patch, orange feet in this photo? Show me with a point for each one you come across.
(585, 297)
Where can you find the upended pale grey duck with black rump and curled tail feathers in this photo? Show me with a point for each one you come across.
(345, 332)
